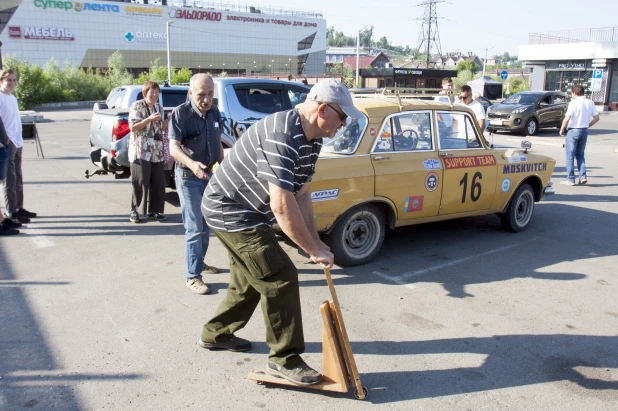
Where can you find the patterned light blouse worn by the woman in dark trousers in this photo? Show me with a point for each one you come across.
(142, 143)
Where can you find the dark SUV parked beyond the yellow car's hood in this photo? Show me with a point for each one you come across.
(528, 111)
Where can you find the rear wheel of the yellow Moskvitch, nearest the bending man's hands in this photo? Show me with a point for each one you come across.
(357, 236)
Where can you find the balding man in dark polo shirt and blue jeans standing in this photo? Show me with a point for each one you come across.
(195, 144)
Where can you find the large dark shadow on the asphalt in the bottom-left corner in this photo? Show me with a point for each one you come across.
(31, 376)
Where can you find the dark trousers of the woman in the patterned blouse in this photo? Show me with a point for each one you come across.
(148, 181)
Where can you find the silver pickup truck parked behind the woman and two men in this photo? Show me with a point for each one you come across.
(241, 101)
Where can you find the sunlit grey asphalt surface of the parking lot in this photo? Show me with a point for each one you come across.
(452, 315)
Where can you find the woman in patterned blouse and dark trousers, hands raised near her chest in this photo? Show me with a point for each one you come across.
(146, 154)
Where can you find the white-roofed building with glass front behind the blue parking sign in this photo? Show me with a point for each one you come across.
(586, 57)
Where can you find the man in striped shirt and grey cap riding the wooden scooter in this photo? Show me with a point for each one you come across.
(266, 179)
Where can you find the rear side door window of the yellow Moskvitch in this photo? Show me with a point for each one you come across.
(408, 131)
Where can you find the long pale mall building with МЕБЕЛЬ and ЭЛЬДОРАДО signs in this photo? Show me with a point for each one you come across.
(204, 35)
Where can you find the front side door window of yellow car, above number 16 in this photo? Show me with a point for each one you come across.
(457, 131)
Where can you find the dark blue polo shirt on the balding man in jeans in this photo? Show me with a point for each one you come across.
(199, 135)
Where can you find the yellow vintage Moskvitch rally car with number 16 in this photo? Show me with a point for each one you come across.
(412, 161)
